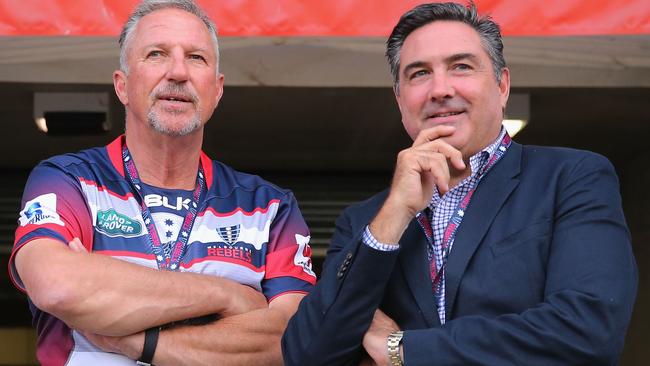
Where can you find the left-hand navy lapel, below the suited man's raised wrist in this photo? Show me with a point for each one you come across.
(415, 267)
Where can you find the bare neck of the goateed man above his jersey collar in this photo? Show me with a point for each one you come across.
(164, 161)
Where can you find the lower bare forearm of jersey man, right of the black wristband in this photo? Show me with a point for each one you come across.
(246, 339)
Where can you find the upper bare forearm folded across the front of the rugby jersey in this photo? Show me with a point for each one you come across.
(112, 297)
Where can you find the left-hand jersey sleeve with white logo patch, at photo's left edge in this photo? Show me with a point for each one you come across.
(52, 206)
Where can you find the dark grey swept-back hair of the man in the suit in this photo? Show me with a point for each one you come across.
(421, 15)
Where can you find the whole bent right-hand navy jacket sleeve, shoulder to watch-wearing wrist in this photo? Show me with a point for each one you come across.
(590, 289)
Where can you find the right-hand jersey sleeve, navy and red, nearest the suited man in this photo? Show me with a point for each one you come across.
(288, 260)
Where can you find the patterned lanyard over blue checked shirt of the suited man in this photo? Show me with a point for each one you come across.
(456, 219)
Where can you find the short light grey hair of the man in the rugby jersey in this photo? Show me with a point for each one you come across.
(149, 6)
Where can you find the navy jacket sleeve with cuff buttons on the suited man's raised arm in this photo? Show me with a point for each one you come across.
(330, 323)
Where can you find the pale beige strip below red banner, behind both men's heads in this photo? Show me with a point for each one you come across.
(596, 61)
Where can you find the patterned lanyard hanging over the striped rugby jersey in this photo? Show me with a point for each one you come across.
(172, 260)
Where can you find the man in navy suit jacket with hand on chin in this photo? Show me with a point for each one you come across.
(483, 251)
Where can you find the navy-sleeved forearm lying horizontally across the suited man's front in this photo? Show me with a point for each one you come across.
(570, 328)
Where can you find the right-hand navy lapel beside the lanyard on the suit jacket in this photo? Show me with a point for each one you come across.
(490, 195)
